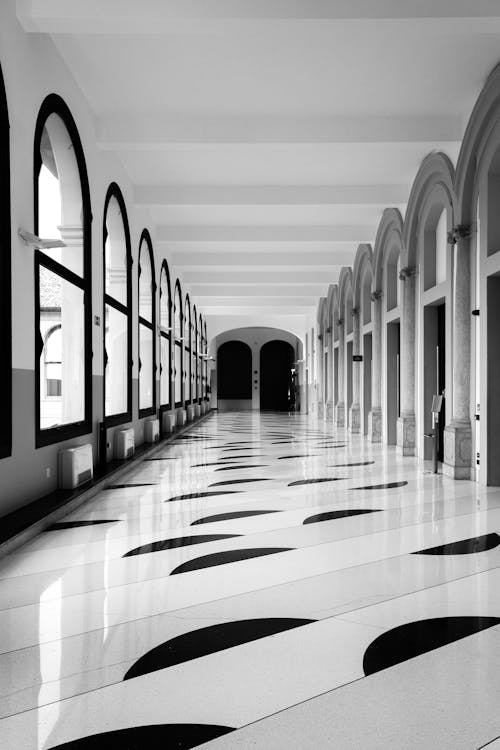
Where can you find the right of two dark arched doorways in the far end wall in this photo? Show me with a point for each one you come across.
(276, 387)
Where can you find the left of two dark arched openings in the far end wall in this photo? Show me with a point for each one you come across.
(234, 376)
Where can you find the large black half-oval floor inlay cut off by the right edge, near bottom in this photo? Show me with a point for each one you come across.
(416, 638)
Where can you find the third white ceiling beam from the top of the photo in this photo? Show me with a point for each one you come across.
(268, 195)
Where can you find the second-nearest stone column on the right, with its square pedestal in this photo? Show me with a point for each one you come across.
(406, 420)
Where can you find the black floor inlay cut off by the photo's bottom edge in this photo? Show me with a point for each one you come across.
(154, 737)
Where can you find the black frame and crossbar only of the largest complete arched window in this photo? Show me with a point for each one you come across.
(54, 104)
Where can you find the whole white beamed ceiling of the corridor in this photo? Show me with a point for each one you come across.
(267, 136)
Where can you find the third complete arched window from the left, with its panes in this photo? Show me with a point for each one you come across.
(147, 325)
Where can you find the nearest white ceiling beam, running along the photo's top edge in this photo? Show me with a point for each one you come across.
(199, 16)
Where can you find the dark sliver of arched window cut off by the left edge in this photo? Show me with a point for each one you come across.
(5, 280)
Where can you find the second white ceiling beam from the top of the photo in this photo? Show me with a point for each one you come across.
(170, 132)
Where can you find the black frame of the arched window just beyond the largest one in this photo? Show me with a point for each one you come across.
(116, 419)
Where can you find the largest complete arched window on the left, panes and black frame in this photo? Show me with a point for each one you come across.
(62, 273)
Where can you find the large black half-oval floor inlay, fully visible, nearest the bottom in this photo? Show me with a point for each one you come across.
(210, 640)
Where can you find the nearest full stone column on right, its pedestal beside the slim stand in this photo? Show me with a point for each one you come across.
(458, 433)
